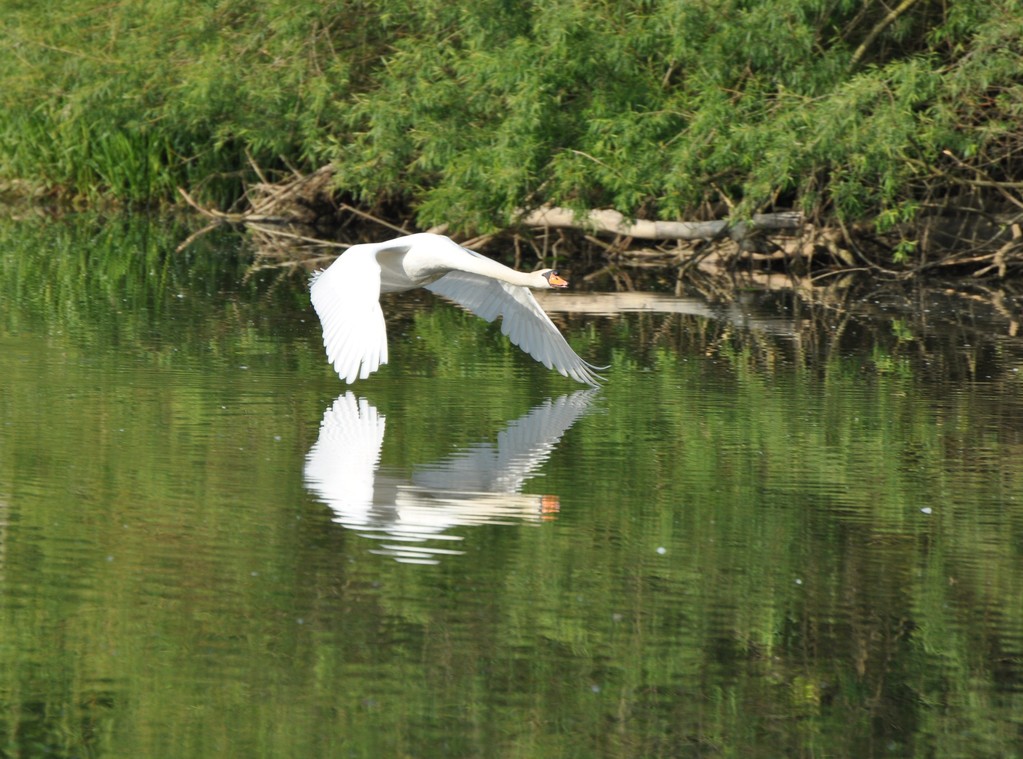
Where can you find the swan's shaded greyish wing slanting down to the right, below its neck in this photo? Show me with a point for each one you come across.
(525, 324)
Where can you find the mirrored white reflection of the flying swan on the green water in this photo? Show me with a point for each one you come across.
(479, 485)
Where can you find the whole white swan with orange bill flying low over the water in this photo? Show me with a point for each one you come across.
(346, 297)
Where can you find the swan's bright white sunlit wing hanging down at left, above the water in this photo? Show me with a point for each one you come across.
(346, 298)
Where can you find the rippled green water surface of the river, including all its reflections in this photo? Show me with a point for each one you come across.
(785, 527)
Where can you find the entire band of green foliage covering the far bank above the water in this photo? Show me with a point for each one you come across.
(471, 111)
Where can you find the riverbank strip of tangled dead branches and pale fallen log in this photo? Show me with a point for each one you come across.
(304, 221)
